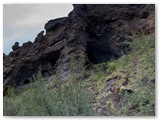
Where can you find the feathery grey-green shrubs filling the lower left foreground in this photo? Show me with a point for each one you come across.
(70, 99)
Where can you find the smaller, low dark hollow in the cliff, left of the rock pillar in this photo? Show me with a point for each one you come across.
(46, 65)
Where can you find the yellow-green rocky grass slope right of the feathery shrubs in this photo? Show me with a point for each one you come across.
(129, 86)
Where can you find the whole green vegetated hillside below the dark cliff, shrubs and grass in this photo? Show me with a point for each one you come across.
(119, 87)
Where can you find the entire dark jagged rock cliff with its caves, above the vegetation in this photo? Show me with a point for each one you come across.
(96, 30)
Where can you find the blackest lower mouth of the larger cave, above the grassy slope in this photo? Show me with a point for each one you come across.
(98, 47)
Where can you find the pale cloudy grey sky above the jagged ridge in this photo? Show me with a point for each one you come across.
(22, 23)
